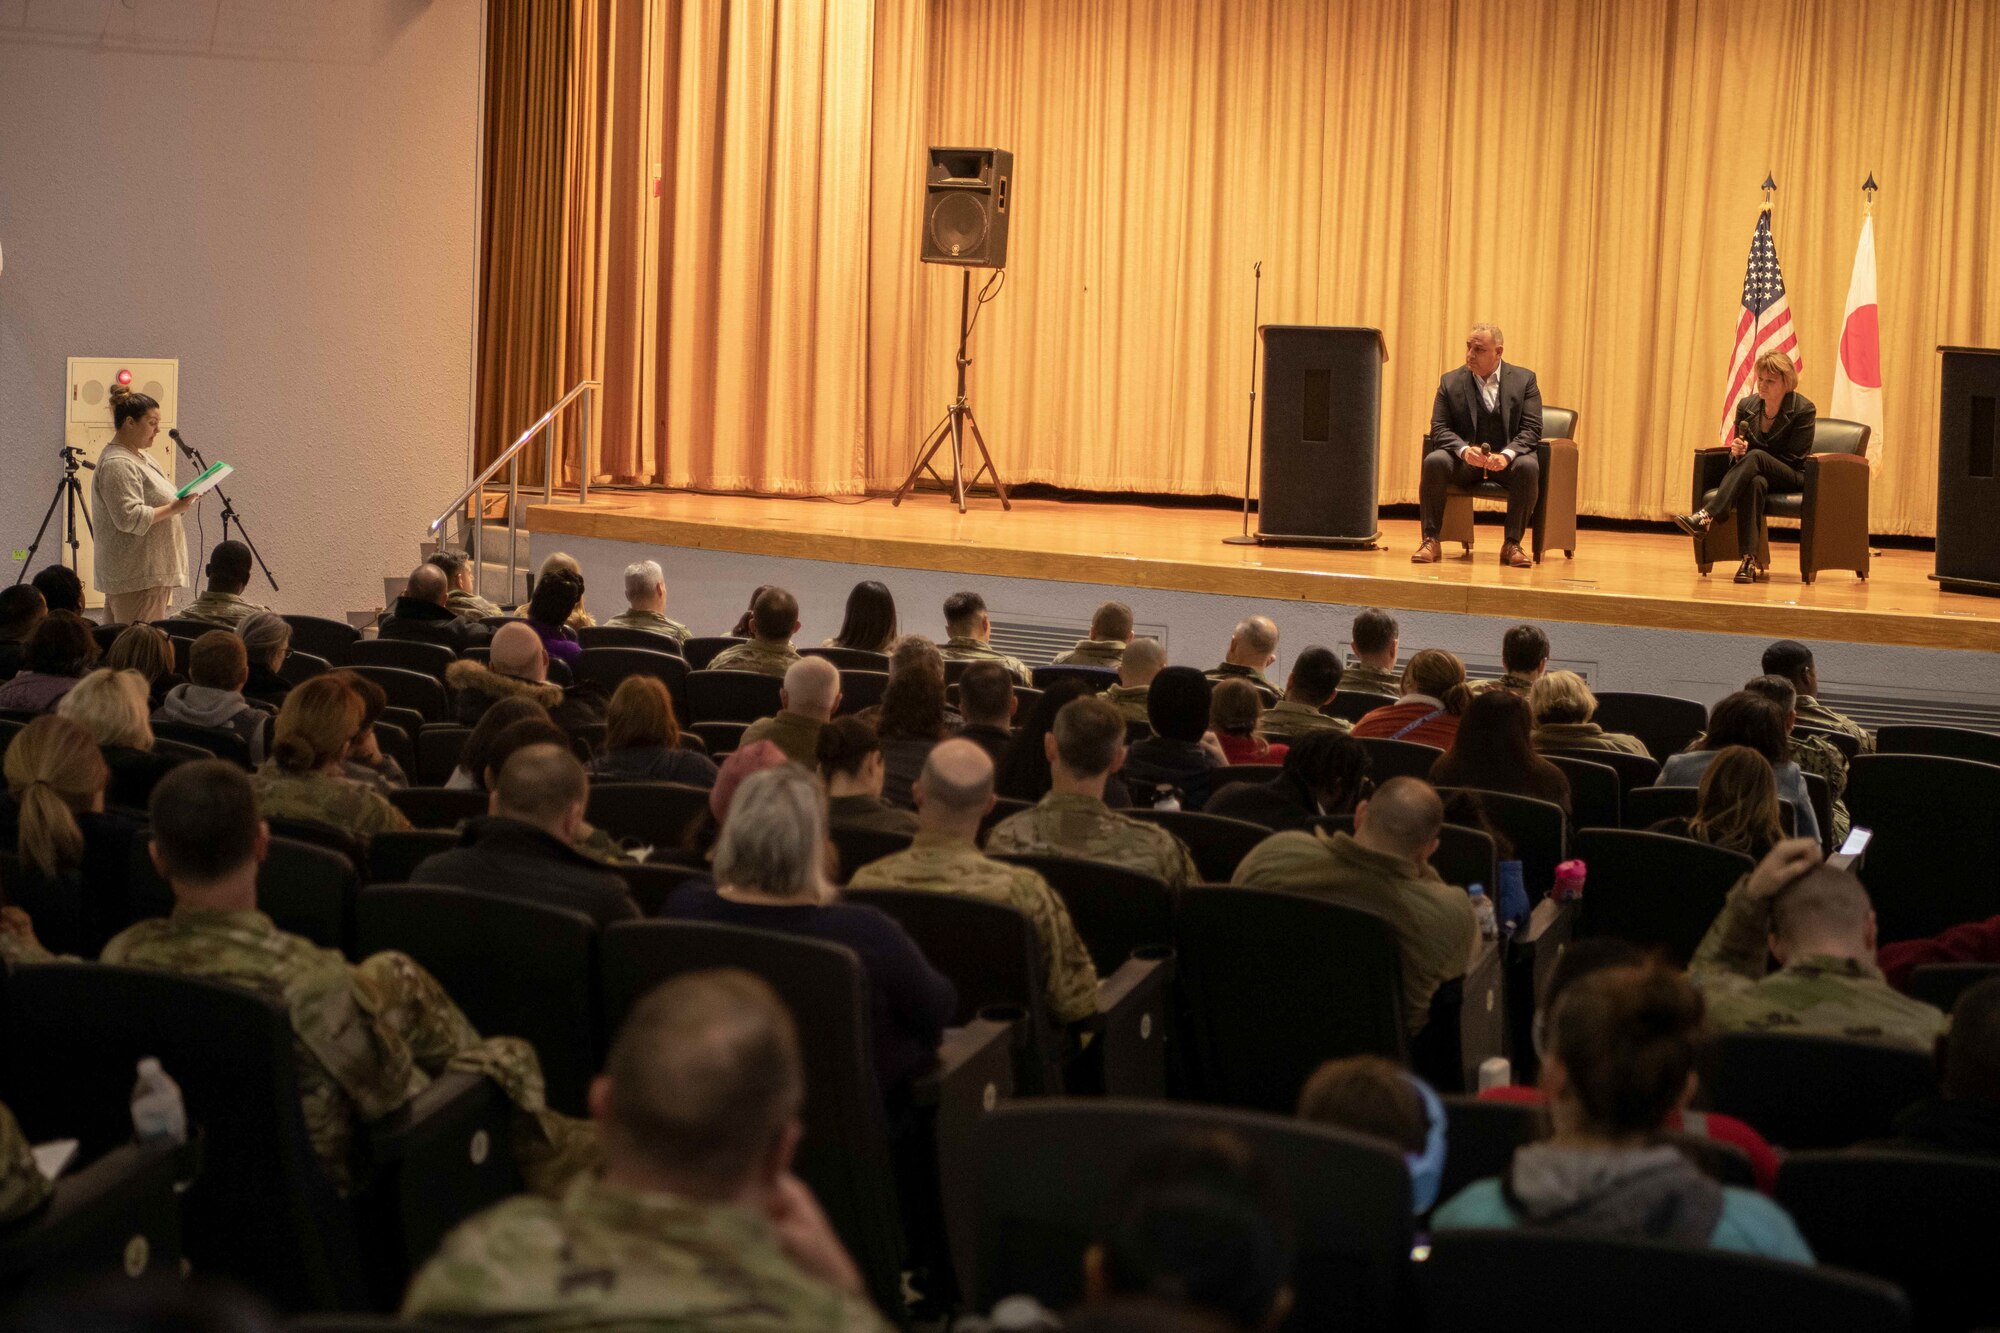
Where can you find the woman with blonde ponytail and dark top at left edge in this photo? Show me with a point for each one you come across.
(73, 852)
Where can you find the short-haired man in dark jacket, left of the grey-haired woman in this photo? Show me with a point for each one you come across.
(527, 846)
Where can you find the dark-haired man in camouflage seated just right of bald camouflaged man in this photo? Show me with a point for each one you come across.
(1085, 750)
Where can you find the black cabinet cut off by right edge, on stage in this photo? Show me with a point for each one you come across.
(1969, 489)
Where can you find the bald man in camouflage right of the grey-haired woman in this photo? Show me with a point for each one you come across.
(953, 796)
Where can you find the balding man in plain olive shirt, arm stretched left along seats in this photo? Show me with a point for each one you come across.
(1383, 868)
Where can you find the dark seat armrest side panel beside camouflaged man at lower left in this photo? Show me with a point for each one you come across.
(435, 1162)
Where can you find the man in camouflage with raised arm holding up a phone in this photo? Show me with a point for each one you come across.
(1819, 926)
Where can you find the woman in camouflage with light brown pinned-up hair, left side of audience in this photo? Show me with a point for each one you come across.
(309, 752)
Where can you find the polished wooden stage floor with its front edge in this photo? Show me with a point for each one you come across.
(1639, 579)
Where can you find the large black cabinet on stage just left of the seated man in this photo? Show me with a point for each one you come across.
(1323, 417)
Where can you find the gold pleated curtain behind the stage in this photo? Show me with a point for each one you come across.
(1579, 171)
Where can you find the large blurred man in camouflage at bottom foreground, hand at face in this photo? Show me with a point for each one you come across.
(697, 1224)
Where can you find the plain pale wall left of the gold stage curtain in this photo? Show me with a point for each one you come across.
(283, 195)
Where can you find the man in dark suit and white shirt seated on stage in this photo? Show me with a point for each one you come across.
(1483, 427)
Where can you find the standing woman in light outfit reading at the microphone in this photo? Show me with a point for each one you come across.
(135, 517)
